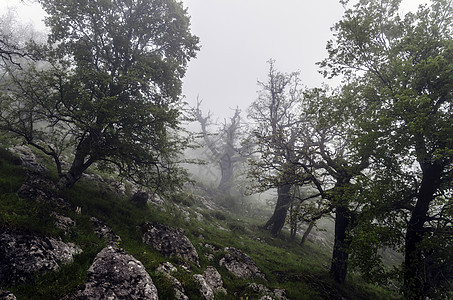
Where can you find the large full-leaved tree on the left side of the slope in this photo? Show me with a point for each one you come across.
(108, 87)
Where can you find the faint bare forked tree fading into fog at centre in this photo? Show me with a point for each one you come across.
(223, 146)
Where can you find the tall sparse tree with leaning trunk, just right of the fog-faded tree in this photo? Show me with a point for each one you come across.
(276, 116)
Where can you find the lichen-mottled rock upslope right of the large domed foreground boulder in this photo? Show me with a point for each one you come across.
(170, 241)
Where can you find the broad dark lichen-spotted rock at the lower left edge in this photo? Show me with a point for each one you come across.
(24, 254)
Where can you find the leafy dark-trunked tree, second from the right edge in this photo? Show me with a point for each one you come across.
(334, 162)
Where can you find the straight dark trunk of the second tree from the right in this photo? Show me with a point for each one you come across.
(339, 265)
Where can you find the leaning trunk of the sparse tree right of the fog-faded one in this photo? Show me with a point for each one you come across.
(276, 222)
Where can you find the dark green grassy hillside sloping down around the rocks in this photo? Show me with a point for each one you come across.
(302, 271)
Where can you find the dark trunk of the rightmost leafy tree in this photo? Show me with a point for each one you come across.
(415, 282)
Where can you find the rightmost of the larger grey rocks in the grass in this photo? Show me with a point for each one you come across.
(240, 264)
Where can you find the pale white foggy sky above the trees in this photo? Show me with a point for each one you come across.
(238, 37)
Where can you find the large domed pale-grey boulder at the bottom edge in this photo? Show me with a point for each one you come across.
(115, 274)
